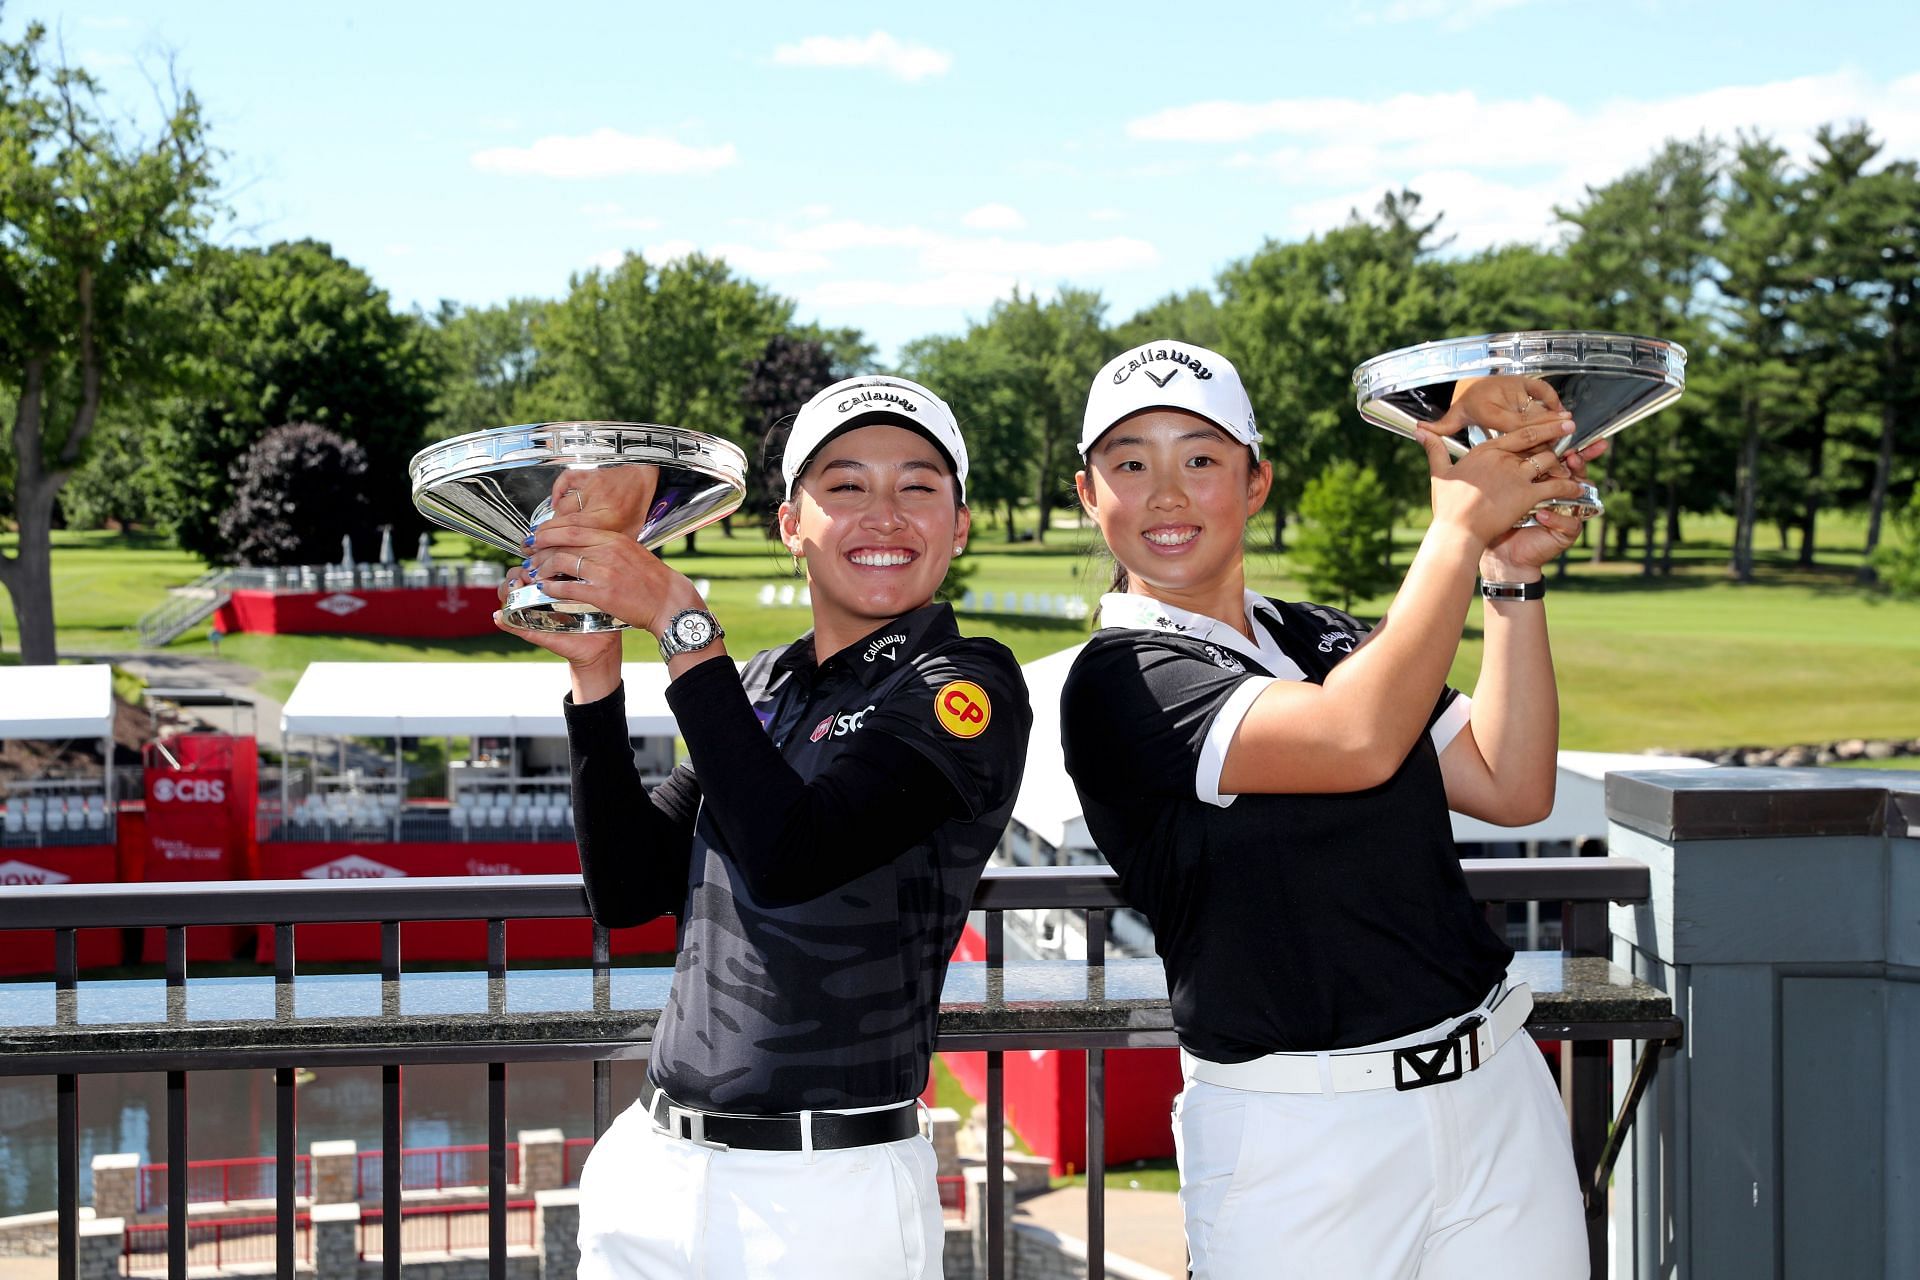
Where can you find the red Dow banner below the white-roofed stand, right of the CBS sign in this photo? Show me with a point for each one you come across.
(527, 939)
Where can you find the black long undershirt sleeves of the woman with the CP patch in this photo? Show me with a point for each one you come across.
(790, 840)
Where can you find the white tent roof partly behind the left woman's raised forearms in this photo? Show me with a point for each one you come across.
(435, 699)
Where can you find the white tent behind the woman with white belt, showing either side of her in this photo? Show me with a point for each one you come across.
(1049, 807)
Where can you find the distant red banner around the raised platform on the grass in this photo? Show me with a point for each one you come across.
(429, 613)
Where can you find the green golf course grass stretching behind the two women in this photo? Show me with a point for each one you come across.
(1691, 661)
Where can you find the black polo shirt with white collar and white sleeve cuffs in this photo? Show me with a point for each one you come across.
(1287, 922)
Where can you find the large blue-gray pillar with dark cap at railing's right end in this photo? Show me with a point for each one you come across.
(1785, 920)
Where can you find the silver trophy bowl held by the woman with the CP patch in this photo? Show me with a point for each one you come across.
(500, 486)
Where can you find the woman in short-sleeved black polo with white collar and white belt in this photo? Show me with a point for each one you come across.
(1272, 782)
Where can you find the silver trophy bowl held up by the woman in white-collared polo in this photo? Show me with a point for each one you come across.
(1606, 381)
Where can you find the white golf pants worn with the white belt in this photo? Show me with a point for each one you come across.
(1462, 1181)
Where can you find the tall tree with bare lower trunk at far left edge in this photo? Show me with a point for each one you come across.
(93, 220)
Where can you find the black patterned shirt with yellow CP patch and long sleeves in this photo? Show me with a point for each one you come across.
(840, 818)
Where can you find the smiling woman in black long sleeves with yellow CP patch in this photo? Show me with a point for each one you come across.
(821, 853)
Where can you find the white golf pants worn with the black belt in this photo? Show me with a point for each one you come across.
(660, 1208)
